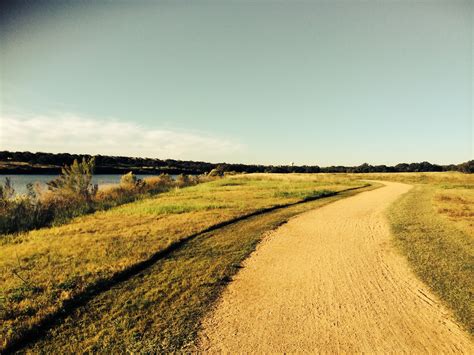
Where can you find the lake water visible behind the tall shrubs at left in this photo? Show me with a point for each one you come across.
(20, 181)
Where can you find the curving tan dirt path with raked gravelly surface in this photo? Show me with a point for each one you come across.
(331, 281)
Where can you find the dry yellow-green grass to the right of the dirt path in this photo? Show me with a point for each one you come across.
(433, 226)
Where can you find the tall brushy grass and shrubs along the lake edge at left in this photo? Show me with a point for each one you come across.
(72, 194)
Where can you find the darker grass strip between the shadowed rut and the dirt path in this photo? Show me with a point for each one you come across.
(159, 310)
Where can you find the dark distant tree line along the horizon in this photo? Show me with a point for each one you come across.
(52, 163)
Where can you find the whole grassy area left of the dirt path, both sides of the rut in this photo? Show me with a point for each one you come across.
(42, 271)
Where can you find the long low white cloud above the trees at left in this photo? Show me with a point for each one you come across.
(73, 134)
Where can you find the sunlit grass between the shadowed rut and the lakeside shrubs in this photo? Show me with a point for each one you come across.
(44, 269)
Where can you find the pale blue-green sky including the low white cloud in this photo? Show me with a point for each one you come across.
(262, 81)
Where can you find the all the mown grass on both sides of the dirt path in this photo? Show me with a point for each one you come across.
(158, 307)
